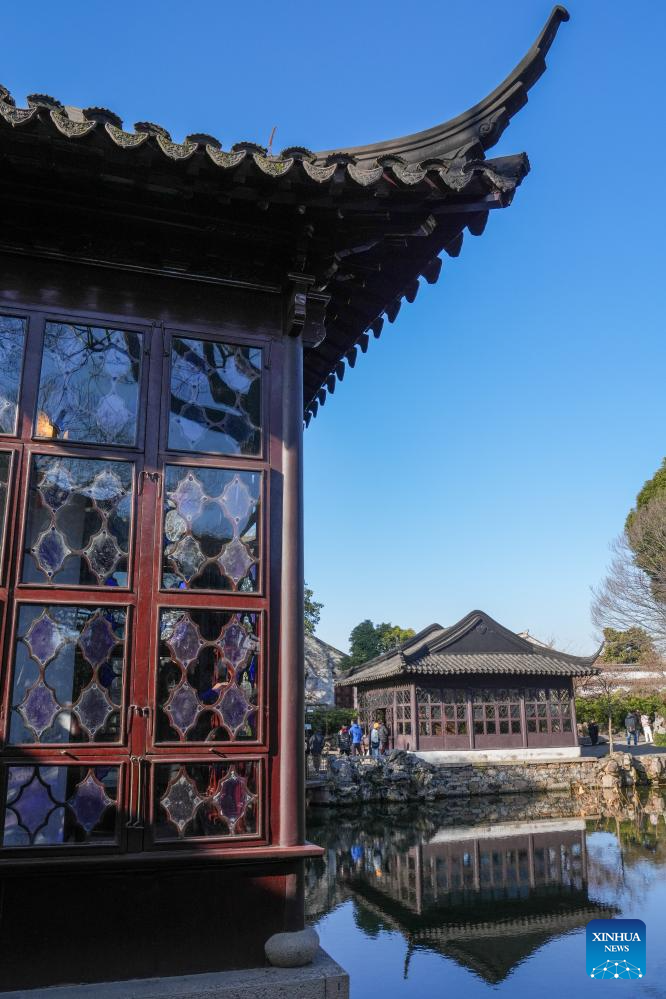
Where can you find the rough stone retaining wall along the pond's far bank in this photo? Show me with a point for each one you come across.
(405, 777)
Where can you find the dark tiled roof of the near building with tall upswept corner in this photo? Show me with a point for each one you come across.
(365, 224)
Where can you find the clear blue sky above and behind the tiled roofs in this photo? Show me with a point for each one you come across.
(486, 450)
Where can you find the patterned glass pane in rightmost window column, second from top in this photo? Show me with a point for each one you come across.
(210, 529)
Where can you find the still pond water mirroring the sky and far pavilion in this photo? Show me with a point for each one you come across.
(486, 898)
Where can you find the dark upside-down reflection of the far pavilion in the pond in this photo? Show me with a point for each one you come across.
(486, 895)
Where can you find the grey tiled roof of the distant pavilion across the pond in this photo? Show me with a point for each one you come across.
(477, 644)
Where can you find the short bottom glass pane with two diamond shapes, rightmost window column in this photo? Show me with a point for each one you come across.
(206, 799)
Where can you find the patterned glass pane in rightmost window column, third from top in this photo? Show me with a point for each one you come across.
(208, 676)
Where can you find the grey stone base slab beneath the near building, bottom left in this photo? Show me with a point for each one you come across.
(323, 979)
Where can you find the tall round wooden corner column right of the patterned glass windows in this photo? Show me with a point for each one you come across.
(292, 683)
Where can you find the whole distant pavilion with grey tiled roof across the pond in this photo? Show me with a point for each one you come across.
(475, 686)
